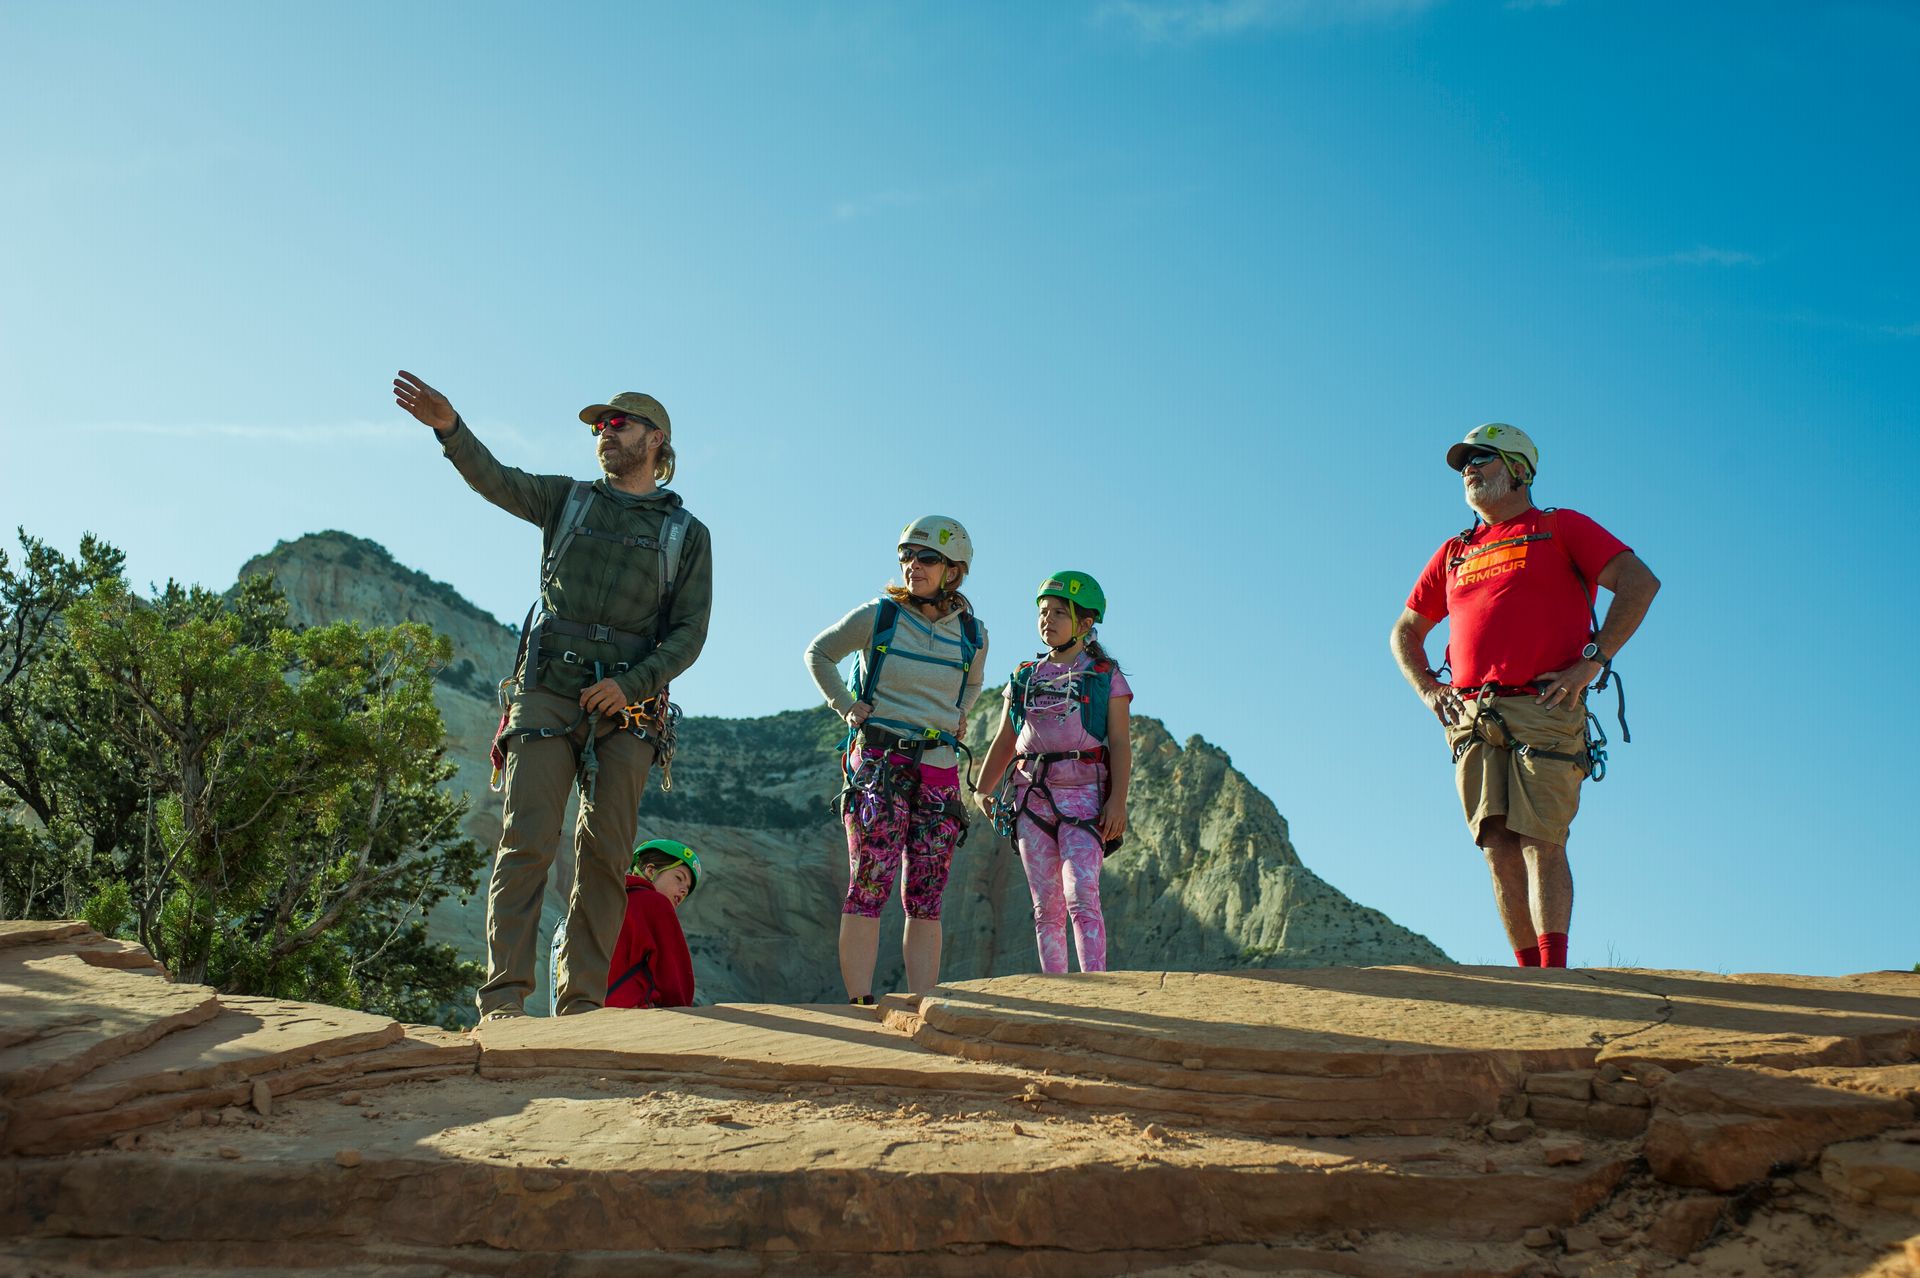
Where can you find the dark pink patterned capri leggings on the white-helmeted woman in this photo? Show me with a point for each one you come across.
(915, 824)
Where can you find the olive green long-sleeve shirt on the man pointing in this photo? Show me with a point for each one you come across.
(600, 580)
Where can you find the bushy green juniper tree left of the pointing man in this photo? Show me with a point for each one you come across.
(258, 805)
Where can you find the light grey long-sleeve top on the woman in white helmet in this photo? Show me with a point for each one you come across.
(911, 692)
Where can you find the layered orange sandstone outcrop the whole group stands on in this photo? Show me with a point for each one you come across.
(1376, 1124)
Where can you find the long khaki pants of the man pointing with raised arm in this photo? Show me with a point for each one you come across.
(540, 780)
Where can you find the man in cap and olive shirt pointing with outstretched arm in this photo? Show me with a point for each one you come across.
(604, 636)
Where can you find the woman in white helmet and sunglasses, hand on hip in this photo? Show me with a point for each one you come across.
(915, 680)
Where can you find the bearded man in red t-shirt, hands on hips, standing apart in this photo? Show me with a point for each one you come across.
(1520, 588)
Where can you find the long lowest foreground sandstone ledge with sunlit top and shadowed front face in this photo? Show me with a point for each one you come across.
(537, 1166)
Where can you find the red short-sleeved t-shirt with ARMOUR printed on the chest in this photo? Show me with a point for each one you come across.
(1518, 607)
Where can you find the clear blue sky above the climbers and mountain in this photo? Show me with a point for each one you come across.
(1188, 295)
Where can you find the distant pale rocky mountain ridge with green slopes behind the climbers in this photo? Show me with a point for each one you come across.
(1209, 878)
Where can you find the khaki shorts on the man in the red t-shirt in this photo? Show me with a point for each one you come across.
(1537, 795)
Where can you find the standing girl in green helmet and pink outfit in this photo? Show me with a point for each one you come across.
(1065, 734)
